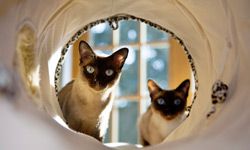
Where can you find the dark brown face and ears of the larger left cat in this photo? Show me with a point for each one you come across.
(100, 72)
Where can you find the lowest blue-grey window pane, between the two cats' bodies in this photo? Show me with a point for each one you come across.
(128, 110)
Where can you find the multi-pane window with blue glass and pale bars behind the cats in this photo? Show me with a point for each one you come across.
(148, 58)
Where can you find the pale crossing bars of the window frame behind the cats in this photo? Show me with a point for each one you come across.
(142, 41)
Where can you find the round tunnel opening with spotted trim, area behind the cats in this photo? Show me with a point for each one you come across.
(154, 53)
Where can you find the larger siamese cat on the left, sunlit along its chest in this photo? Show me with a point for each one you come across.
(86, 102)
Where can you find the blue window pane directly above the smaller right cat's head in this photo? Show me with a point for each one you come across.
(156, 63)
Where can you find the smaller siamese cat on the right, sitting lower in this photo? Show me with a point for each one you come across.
(165, 113)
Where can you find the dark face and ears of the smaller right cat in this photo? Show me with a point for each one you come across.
(169, 103)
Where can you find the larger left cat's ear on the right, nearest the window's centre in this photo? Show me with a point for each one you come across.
(119, 57)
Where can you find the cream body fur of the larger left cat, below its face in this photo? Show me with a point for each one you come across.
(85, 109)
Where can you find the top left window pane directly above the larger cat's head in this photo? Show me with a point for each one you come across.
(101, 35)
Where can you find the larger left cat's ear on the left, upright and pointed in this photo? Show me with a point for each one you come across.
(85, 51)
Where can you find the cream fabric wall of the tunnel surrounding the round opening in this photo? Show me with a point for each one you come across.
(215, 32)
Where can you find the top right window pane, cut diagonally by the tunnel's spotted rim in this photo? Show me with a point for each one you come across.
(154, 34)
